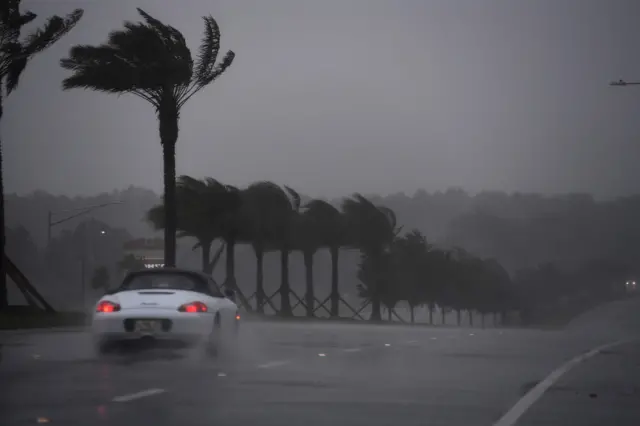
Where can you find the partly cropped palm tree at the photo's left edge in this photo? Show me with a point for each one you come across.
(15, 53)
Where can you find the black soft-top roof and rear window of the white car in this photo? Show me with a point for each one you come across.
(166, 281)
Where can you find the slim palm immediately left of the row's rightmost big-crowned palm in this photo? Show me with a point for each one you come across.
(332, 230)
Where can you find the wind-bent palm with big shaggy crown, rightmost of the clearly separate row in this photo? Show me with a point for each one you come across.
(372, 230)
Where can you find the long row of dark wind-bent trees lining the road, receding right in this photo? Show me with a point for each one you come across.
(394, 266)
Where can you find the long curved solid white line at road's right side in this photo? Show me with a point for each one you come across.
(512, 416)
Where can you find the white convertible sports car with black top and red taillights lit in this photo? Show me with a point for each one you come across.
(168, 304)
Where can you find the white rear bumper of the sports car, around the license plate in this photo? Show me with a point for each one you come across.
(172, 325)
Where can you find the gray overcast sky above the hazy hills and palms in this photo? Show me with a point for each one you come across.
(337, 96)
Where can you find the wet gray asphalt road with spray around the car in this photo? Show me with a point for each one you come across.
(320, 374)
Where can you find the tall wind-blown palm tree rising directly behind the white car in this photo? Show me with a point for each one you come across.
(151, 60)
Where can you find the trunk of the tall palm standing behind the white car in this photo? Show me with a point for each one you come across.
(168, 118)
